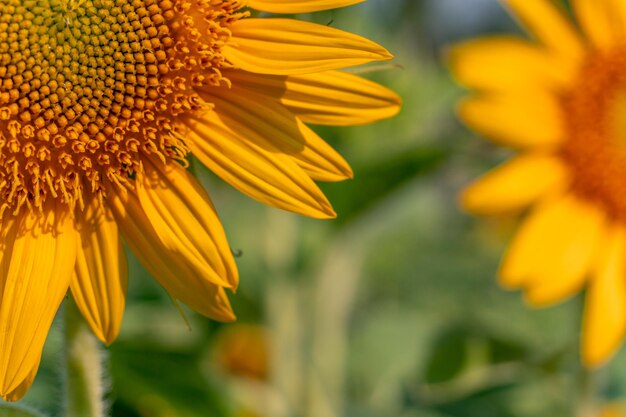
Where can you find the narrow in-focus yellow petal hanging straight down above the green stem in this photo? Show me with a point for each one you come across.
(101, 273)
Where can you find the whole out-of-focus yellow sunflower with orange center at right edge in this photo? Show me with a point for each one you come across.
(561, 102)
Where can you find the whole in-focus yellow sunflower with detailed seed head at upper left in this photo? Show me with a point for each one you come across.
(101, 104)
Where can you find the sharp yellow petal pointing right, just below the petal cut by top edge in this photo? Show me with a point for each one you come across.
(287, 46)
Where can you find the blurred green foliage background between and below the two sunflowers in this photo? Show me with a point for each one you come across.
(392, 310)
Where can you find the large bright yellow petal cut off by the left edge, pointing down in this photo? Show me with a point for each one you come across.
(37, 263)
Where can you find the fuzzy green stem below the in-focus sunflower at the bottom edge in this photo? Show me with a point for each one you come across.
(84, 390)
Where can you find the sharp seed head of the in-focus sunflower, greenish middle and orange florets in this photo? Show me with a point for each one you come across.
(90, 88)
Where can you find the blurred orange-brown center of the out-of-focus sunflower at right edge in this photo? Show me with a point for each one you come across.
(595, 114)
